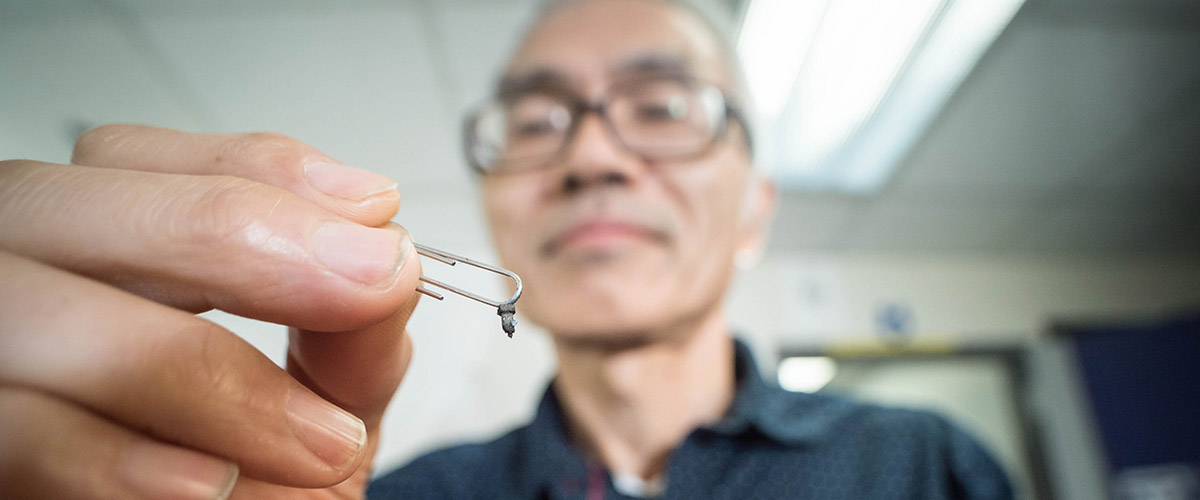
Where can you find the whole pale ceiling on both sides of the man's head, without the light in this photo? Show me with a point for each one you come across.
(1076, 134)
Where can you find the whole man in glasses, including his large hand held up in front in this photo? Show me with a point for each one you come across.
(616, 171)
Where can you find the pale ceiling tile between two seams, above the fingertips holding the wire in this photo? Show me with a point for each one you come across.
(356, 83)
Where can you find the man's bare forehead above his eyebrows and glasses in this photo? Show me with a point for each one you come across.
(592, 44)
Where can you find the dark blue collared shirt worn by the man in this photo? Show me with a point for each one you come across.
(773, 444)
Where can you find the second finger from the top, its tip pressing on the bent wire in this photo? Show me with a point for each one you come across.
(208, 242)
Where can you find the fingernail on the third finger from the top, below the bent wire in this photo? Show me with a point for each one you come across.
(327, 431)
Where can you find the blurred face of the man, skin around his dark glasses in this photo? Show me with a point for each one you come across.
(614, 248)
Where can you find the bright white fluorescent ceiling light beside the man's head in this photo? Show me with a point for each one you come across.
(865, 79)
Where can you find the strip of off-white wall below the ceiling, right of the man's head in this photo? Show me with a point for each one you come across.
(818, 299)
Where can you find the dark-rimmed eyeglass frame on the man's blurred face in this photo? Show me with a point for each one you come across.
(579, 109)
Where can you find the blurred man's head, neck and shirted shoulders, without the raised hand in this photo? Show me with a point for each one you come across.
(620, 188)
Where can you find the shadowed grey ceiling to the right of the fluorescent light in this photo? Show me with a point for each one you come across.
(1077, 132)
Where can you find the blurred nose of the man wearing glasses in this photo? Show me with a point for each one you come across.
(595, 156)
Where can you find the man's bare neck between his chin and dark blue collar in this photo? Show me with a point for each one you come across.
(629, 408)
